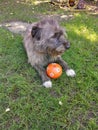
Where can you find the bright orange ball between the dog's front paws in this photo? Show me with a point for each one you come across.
(54, 70)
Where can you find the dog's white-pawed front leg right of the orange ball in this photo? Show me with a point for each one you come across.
(69, 72)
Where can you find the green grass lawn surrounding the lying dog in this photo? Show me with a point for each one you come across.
(72, 103)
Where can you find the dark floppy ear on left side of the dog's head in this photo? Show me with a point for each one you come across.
(36, 32)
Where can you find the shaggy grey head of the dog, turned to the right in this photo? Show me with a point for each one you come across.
(49, 31)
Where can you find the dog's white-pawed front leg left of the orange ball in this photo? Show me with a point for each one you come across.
(45, 79)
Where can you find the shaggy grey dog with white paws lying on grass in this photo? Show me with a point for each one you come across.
(44, 43)
